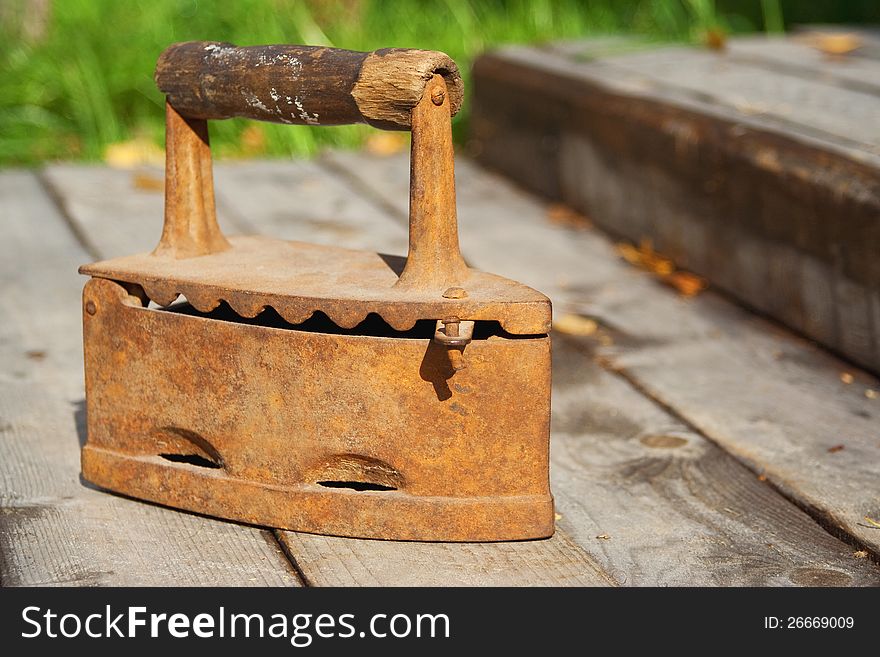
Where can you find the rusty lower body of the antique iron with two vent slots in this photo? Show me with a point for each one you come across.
(250, 419)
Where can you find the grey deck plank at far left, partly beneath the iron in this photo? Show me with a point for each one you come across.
(54, 529)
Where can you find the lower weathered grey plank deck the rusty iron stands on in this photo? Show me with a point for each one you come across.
(692, 443)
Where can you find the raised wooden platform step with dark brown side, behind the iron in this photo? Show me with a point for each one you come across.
(756, 166)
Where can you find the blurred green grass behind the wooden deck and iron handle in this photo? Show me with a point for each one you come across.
(76, 75)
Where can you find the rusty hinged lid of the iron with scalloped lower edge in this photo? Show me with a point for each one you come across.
(297, 279)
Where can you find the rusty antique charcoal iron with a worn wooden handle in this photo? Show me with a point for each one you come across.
(309, 387)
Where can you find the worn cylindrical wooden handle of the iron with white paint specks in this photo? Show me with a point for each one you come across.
(302, 84)
